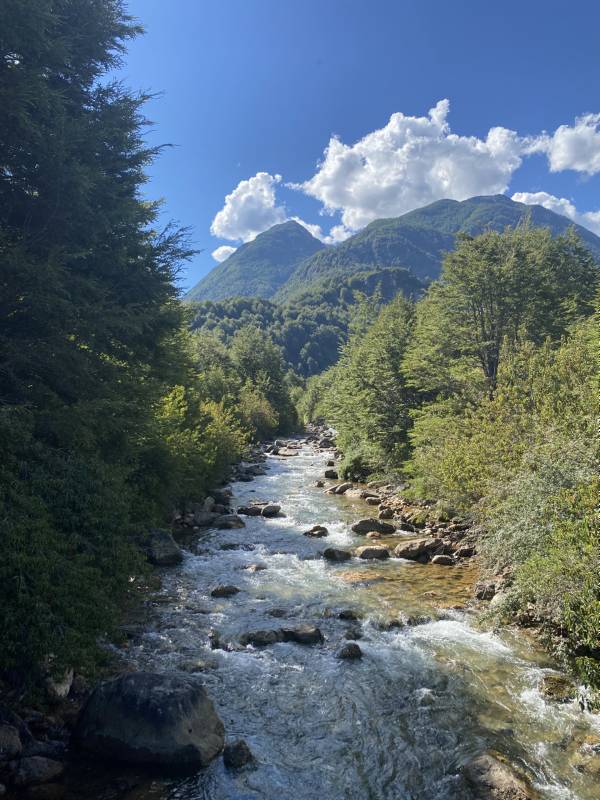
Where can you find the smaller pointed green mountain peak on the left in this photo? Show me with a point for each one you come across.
(258, 268)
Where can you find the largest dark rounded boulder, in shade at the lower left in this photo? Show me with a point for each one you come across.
(147, 718)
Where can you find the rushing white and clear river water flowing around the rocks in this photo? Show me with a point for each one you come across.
(397, 724)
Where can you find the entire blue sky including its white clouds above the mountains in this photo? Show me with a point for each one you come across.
(252, 92)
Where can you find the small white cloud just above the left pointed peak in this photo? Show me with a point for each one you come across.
(250, 209)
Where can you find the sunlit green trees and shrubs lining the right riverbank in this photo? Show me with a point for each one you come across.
(484, 395)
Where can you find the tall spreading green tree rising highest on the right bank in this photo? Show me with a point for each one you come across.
(522, 284)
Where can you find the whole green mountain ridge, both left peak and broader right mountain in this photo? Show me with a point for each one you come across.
(284, 260)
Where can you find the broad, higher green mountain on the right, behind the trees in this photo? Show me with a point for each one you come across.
(419, 239)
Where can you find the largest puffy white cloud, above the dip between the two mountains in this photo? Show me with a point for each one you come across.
(410, 162)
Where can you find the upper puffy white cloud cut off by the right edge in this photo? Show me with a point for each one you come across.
(575, 147)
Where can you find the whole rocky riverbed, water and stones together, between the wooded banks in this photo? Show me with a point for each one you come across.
(332, 626)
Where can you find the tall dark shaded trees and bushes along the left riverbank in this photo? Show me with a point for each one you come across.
(111, 412)
